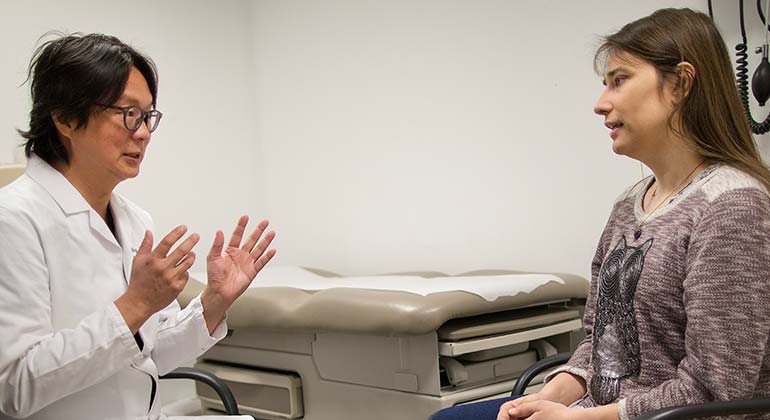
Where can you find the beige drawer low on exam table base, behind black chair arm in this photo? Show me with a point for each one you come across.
(259, 393)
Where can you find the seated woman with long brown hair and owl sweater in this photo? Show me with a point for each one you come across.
(678, 309)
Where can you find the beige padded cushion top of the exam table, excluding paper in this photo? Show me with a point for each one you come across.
(369, 311)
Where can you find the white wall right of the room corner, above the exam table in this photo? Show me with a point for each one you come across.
(447, 135)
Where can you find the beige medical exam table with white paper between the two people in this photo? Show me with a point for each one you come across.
(310, 344)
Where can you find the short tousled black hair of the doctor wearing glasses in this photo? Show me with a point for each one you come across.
(69, 76)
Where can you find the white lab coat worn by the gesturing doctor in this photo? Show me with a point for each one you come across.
(65, 350)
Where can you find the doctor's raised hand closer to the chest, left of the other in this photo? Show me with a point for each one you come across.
(157, 276)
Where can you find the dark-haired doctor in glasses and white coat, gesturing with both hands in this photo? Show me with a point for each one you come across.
(88, 317)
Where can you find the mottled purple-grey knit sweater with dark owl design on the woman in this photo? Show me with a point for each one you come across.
(682, 314)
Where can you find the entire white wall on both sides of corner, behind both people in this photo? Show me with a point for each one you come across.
(377, 136)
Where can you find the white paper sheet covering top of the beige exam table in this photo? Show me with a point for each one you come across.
(488, 287)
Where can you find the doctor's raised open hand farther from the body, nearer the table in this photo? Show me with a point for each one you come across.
(231, 269)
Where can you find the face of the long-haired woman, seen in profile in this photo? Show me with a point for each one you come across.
(636, 106)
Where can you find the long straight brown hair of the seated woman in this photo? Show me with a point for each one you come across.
(711, 119)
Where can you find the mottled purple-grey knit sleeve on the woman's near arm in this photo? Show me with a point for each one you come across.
(726, 295)
